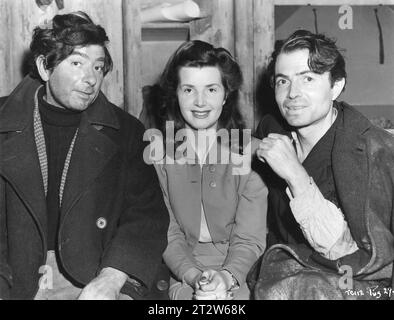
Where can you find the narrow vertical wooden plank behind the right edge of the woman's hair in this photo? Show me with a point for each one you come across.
(244, 55)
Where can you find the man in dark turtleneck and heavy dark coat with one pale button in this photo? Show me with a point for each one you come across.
(81, 213)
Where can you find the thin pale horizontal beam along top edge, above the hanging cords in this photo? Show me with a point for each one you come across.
(333, 2)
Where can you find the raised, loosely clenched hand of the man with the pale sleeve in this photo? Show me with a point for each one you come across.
(278, 152)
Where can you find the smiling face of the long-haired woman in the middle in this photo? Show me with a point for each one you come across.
(201, 96)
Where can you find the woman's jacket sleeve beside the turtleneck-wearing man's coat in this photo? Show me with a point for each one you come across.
(178, 254)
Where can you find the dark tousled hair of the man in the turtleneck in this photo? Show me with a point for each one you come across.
(58, 39)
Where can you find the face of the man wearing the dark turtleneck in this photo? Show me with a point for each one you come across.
(76, 81)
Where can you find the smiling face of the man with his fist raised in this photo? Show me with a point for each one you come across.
(304, 98)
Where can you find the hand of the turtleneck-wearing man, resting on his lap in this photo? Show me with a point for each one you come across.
(106, 286)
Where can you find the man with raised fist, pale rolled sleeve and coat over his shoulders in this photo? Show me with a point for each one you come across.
(330, 174)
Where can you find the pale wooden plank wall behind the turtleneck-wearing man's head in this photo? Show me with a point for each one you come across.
(18, 19)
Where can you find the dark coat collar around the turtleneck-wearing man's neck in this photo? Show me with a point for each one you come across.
(17, 111)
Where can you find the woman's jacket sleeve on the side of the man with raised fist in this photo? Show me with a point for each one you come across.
(248, 237)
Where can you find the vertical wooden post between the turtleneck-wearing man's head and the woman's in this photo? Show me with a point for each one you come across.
(132, 57)
